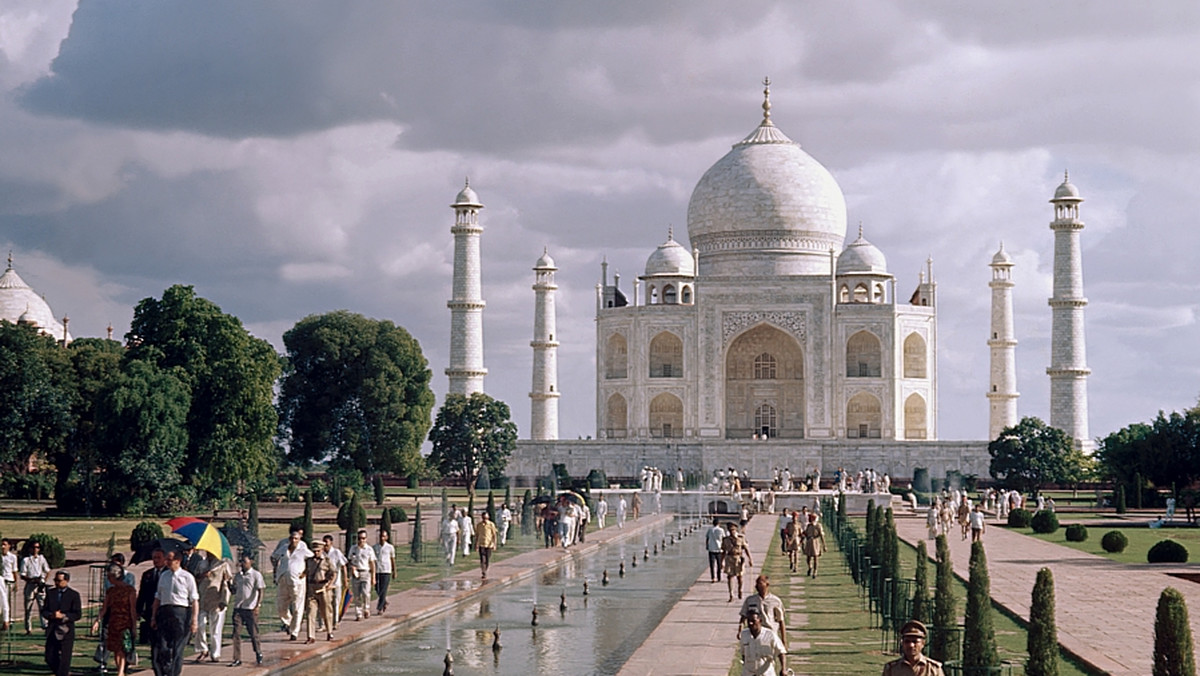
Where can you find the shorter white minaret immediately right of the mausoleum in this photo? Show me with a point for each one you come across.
(1003, 392)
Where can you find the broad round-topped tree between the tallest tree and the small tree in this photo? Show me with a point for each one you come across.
(357, 391)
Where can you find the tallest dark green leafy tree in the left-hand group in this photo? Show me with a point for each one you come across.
(232, 421)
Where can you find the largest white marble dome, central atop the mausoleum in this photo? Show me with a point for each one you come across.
(767, 208)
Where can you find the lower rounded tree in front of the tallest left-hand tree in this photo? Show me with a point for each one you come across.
(143, 435)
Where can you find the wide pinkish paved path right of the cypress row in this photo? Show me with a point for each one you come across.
(1106, 611)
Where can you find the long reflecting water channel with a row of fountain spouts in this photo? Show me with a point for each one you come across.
(596, 635)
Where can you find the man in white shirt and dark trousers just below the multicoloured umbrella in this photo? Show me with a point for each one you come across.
(177, 607)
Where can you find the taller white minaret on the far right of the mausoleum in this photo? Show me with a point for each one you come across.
(1069, 355)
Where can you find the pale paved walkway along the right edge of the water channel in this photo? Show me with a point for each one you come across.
(699, 637)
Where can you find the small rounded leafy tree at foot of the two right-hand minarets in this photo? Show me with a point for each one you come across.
(1031, 453)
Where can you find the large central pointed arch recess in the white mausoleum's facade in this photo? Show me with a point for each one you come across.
(765, 372)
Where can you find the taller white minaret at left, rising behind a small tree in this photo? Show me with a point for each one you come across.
(466, 304)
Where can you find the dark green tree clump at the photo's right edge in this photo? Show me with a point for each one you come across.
(1167, 451)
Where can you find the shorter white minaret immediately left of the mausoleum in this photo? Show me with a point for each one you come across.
(544, 408)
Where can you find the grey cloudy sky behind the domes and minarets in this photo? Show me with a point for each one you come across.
(291, 158)
